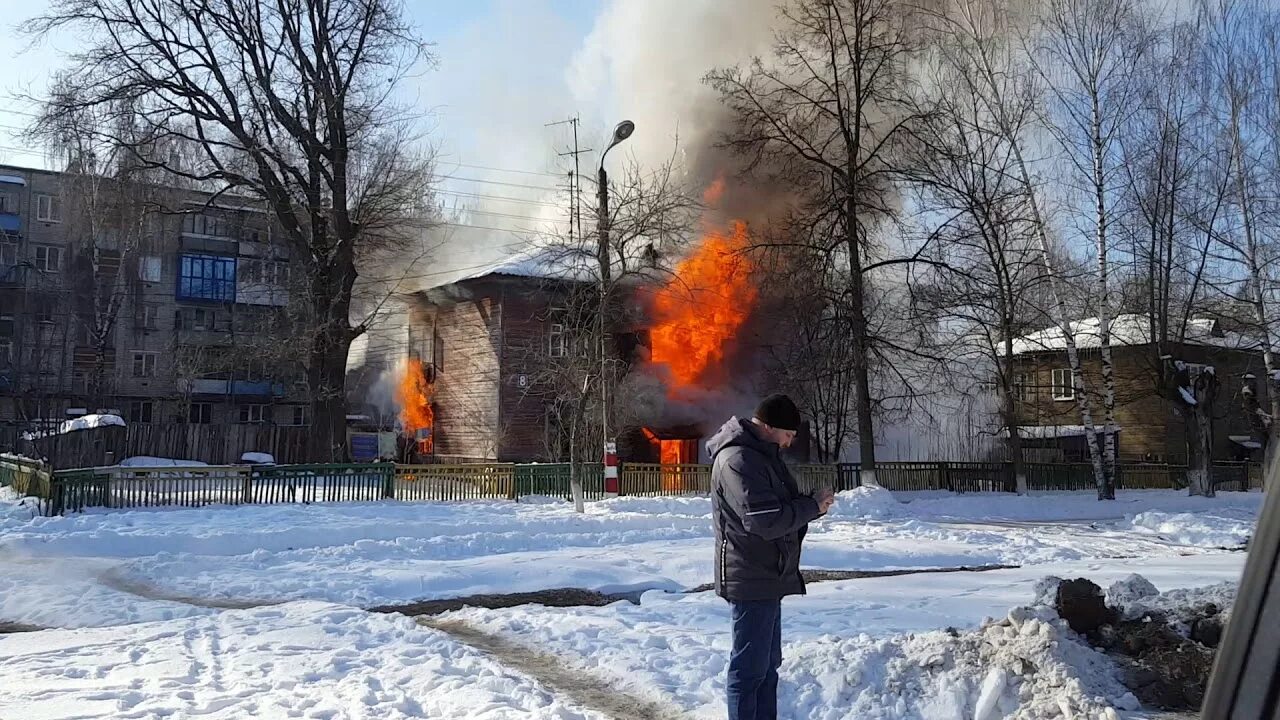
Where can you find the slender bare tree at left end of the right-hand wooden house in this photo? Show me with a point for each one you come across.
(985, 279)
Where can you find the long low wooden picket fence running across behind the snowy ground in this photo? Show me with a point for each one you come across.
(243, 485)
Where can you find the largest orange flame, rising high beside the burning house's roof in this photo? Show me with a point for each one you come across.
(703, 306)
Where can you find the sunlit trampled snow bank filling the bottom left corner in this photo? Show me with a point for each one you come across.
(301, 659)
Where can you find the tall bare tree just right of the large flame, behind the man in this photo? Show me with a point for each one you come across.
(828, 113)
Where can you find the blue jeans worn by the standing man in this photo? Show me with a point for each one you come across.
(753, 668)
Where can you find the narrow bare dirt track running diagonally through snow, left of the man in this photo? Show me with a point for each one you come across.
(555, 673)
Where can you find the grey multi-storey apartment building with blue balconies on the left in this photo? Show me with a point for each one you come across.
(162, 306)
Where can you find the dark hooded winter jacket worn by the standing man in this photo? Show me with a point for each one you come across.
(760, 514)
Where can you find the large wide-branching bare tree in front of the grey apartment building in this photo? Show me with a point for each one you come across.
(287, 101)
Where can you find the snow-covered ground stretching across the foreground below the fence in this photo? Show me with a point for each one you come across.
(170, 575)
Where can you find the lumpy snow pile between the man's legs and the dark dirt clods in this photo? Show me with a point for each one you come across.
(1030, 666)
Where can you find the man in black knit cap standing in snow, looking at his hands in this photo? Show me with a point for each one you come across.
(761, 520)
